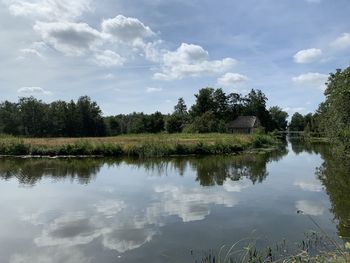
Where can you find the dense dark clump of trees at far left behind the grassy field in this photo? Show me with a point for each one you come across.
(34, 118)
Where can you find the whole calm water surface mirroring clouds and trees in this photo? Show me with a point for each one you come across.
(103, 210)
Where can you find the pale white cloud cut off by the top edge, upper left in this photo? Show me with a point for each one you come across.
(50, 10)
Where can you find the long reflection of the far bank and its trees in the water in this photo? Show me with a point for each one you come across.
(210, 170)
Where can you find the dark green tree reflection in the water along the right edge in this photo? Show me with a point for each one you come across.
(335, 176)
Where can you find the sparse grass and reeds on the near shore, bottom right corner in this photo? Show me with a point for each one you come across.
(317, 246)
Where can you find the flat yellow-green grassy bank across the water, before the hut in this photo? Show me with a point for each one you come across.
(144, 145)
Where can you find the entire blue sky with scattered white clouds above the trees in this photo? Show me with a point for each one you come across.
(142, 55)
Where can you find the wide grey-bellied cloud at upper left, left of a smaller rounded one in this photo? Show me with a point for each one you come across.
(73, 39)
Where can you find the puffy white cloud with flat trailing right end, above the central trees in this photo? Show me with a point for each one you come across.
(190, 60)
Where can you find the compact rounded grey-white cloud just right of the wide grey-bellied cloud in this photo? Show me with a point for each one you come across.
(126, 29)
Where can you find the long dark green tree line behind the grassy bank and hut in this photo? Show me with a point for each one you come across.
(212, 111)
